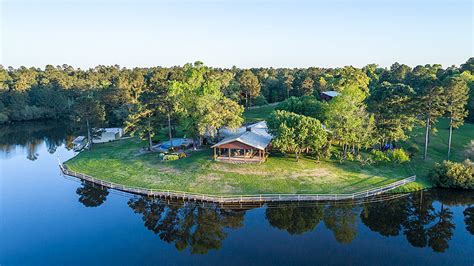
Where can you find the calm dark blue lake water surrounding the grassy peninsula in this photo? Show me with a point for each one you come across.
(48, 219)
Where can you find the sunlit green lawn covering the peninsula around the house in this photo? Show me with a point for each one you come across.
(121, 162)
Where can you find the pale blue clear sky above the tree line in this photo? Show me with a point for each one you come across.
(242, 33)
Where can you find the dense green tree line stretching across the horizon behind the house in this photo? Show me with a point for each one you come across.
(377, 105)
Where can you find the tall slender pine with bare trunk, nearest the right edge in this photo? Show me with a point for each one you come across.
(456, 94)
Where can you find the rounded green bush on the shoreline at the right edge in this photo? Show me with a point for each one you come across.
(454, 175)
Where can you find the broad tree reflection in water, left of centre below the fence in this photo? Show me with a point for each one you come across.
(187, 225)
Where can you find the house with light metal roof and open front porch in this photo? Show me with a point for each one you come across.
(243, 145)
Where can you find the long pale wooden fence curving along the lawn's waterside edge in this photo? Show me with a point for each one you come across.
(188, 196)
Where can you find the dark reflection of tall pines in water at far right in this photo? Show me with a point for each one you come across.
(424, 223)
